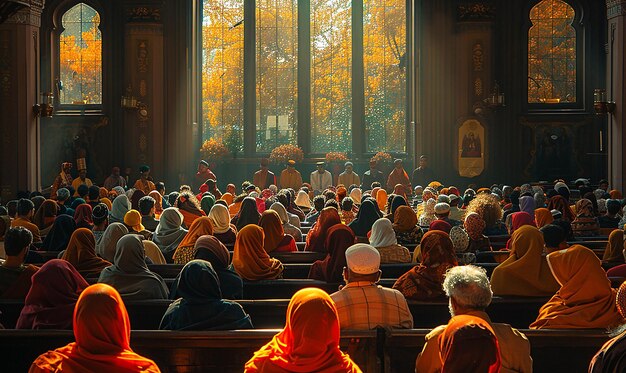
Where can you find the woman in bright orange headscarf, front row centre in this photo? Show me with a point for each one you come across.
(309, 342)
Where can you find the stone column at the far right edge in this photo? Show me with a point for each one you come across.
(616, 91)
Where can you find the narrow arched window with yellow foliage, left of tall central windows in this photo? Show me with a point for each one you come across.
(80, 57)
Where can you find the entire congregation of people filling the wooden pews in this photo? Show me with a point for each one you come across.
(106, 238)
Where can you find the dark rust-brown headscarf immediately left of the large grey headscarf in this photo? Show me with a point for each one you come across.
(81, 253)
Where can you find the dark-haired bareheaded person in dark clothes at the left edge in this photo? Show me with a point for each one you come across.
(15, 276)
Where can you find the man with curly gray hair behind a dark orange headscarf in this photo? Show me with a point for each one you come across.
(469, 293)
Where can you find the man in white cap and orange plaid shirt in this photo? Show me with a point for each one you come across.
(362, 304)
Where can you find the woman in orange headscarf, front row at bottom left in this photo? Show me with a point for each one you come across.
(102, 332)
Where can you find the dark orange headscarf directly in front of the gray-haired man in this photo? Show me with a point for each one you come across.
(469, 344)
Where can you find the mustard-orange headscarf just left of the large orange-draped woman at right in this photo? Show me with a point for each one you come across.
(525, 272)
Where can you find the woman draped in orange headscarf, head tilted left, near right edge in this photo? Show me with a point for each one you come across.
(585, 299)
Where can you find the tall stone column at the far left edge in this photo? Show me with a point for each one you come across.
(19, 91)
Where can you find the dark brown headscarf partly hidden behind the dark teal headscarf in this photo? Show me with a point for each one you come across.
(213, 251)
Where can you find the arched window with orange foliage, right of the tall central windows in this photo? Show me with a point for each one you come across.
(552, 67)
